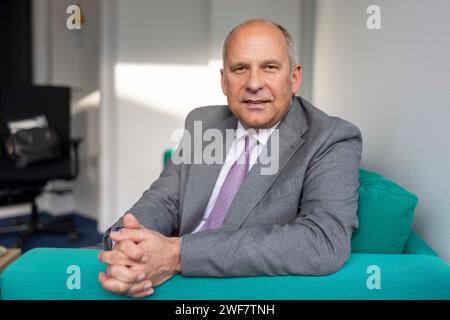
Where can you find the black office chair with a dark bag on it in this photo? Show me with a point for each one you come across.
(19, 186)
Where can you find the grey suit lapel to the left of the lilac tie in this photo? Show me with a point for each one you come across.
(201, 180)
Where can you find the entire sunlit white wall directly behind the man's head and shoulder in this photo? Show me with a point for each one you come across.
(166, 59)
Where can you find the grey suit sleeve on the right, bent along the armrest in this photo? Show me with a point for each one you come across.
(316, 242)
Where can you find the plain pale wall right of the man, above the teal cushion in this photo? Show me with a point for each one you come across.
(394, 84)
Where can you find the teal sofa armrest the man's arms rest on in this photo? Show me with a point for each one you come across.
(51, 274)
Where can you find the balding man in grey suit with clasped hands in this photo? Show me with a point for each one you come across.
(234, 220)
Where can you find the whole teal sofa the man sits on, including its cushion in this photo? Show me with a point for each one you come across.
(388, 261)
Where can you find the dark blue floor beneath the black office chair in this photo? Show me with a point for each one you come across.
(87, 228)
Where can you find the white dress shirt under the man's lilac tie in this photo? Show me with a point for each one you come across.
(236, 149)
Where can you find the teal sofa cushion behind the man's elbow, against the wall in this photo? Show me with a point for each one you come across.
(385, 212)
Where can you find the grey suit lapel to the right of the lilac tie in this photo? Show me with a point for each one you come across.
(256, 185)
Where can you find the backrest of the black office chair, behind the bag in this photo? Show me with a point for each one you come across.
(24, 102)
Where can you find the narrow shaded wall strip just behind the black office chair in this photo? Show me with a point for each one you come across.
(75, 62)
